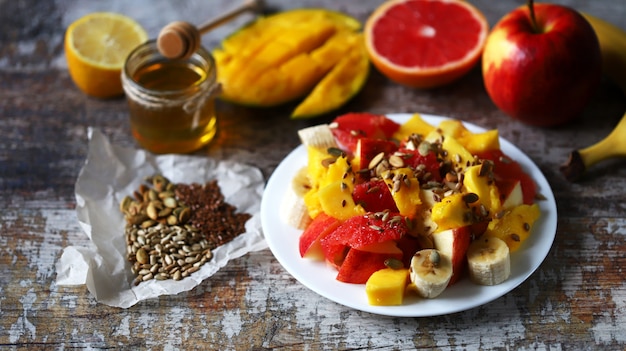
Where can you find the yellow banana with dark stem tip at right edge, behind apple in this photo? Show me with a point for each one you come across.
(613, 47)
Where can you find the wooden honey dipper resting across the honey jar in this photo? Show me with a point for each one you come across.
(179, 40)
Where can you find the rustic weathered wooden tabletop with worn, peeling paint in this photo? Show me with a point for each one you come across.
(575, 300)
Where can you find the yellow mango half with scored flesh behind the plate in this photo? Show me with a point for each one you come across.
(315, 54)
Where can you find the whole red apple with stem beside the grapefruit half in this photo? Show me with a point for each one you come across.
(542, 66)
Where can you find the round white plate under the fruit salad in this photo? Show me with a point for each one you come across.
(317, 276)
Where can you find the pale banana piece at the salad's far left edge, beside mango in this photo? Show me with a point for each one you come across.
(293, 209)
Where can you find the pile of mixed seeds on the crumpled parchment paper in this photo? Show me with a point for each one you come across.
(172, 228)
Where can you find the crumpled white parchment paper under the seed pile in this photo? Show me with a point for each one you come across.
(112, 172)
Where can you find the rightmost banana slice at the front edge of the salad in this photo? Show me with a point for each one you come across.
(489, 261)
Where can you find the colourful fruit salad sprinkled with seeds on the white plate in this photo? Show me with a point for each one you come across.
(409, 208)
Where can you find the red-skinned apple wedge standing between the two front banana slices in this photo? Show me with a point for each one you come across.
(454, 243)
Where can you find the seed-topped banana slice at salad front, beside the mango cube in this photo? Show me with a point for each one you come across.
(430, 272)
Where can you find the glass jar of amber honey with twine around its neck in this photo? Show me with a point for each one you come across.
(171, 102)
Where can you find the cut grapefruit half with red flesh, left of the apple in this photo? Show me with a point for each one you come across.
(425, 43)
